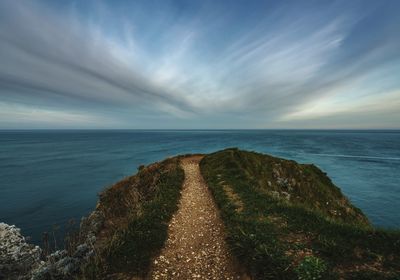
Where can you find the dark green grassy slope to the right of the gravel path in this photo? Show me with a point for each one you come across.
(285, 220)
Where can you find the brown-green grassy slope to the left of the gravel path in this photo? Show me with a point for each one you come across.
(137, 211)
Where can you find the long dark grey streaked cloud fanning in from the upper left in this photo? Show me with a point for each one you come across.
(44, 56)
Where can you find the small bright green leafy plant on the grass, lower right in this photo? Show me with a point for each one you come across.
(311, 268)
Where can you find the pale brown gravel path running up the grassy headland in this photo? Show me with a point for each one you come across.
(196, 247)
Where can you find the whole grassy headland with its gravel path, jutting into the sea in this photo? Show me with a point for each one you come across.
(281, 219)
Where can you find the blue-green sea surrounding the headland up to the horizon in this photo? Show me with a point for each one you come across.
(50, 177)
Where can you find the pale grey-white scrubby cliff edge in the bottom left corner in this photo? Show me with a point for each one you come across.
(21, 260)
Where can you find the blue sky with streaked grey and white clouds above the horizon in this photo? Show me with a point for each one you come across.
(199, 64)
